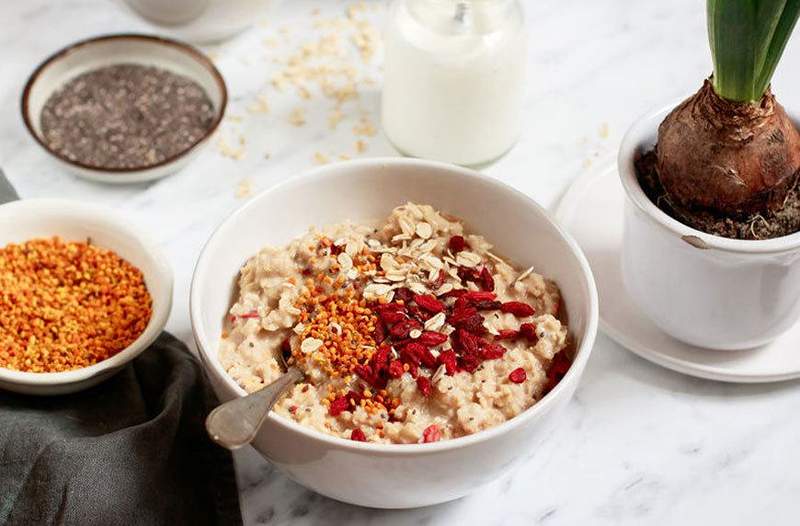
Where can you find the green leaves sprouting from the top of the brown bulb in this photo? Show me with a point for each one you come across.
(747, 39)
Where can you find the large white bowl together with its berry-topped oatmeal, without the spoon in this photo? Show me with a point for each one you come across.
(438, 315)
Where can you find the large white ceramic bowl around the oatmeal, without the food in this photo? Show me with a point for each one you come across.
(395, 476)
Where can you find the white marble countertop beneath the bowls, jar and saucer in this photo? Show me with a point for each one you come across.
(638, 444)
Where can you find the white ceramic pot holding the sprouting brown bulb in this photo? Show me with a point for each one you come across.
(705, 290)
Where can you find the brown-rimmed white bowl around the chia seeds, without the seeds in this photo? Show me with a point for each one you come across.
(94, 53)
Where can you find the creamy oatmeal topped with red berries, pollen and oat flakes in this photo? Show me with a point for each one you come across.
(410, 332)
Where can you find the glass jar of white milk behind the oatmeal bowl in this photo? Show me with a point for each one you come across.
(454, 79)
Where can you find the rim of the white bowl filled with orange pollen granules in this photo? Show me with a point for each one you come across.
(154, 327)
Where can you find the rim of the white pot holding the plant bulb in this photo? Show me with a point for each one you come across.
(630, 143)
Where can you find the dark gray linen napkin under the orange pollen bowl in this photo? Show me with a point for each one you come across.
(132, 450)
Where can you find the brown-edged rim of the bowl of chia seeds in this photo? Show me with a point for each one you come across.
(103, 172)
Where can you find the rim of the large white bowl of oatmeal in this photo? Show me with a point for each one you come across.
(582, 352)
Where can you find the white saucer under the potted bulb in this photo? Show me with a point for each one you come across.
(591, 210)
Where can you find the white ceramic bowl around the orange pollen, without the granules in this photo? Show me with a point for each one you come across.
(43, 218)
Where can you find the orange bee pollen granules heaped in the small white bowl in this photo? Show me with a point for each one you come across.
(66, 305)
